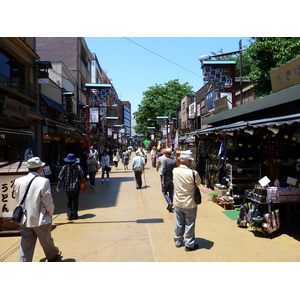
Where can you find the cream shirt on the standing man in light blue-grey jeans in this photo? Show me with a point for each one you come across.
(184, 186)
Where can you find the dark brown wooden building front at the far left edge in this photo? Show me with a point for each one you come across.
(19, 115)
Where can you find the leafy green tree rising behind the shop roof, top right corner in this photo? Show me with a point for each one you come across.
(267, 54)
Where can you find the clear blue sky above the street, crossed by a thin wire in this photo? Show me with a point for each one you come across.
(133, 69)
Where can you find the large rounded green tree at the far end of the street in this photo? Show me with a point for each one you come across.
(159, 100)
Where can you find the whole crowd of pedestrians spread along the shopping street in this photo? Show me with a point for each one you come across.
(177, 187)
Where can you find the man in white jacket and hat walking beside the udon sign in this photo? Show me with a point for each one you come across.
(38, 211)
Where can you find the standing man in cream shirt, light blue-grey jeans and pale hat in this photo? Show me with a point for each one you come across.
(185, 206)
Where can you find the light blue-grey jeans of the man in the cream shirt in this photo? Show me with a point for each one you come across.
(185, 223)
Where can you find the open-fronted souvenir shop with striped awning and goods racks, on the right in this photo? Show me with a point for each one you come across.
(255, 163)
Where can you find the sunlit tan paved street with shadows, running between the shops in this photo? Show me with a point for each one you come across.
(118, 223)
